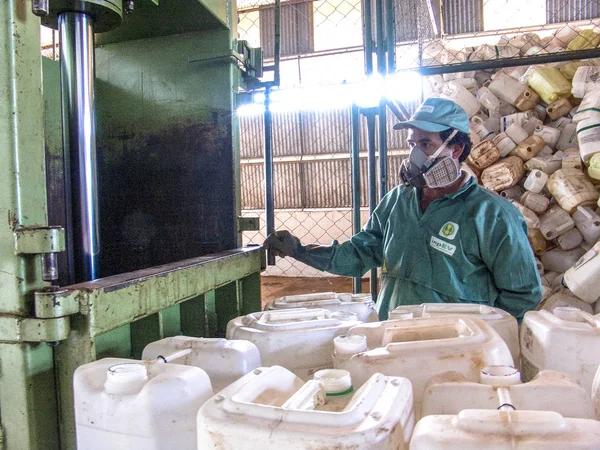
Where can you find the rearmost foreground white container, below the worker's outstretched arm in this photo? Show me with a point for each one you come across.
(360, 304)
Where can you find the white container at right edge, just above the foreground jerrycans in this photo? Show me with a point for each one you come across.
(583, 278)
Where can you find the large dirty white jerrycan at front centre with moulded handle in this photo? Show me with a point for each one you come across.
(271, 408)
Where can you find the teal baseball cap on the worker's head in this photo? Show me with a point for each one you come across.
(437, 114)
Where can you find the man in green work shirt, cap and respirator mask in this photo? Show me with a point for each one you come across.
(439, 236)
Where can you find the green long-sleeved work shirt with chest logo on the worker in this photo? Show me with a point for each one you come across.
(469, 246)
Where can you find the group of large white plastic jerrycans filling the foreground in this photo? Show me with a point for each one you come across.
(319, 371)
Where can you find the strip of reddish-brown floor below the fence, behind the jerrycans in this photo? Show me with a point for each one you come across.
(274, 287)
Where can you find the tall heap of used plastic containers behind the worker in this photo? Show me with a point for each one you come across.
(536, 136)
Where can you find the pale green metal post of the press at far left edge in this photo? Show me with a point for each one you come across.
(27, 404)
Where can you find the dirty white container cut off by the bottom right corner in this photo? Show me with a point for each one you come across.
(473, 429)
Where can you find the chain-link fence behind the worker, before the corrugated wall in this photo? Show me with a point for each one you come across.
(322, 44)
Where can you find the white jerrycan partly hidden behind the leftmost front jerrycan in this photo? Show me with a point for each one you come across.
(223, 360)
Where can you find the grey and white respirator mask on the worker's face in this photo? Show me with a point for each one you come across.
(420, 170)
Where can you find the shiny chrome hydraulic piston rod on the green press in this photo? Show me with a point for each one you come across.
(79, 140)
